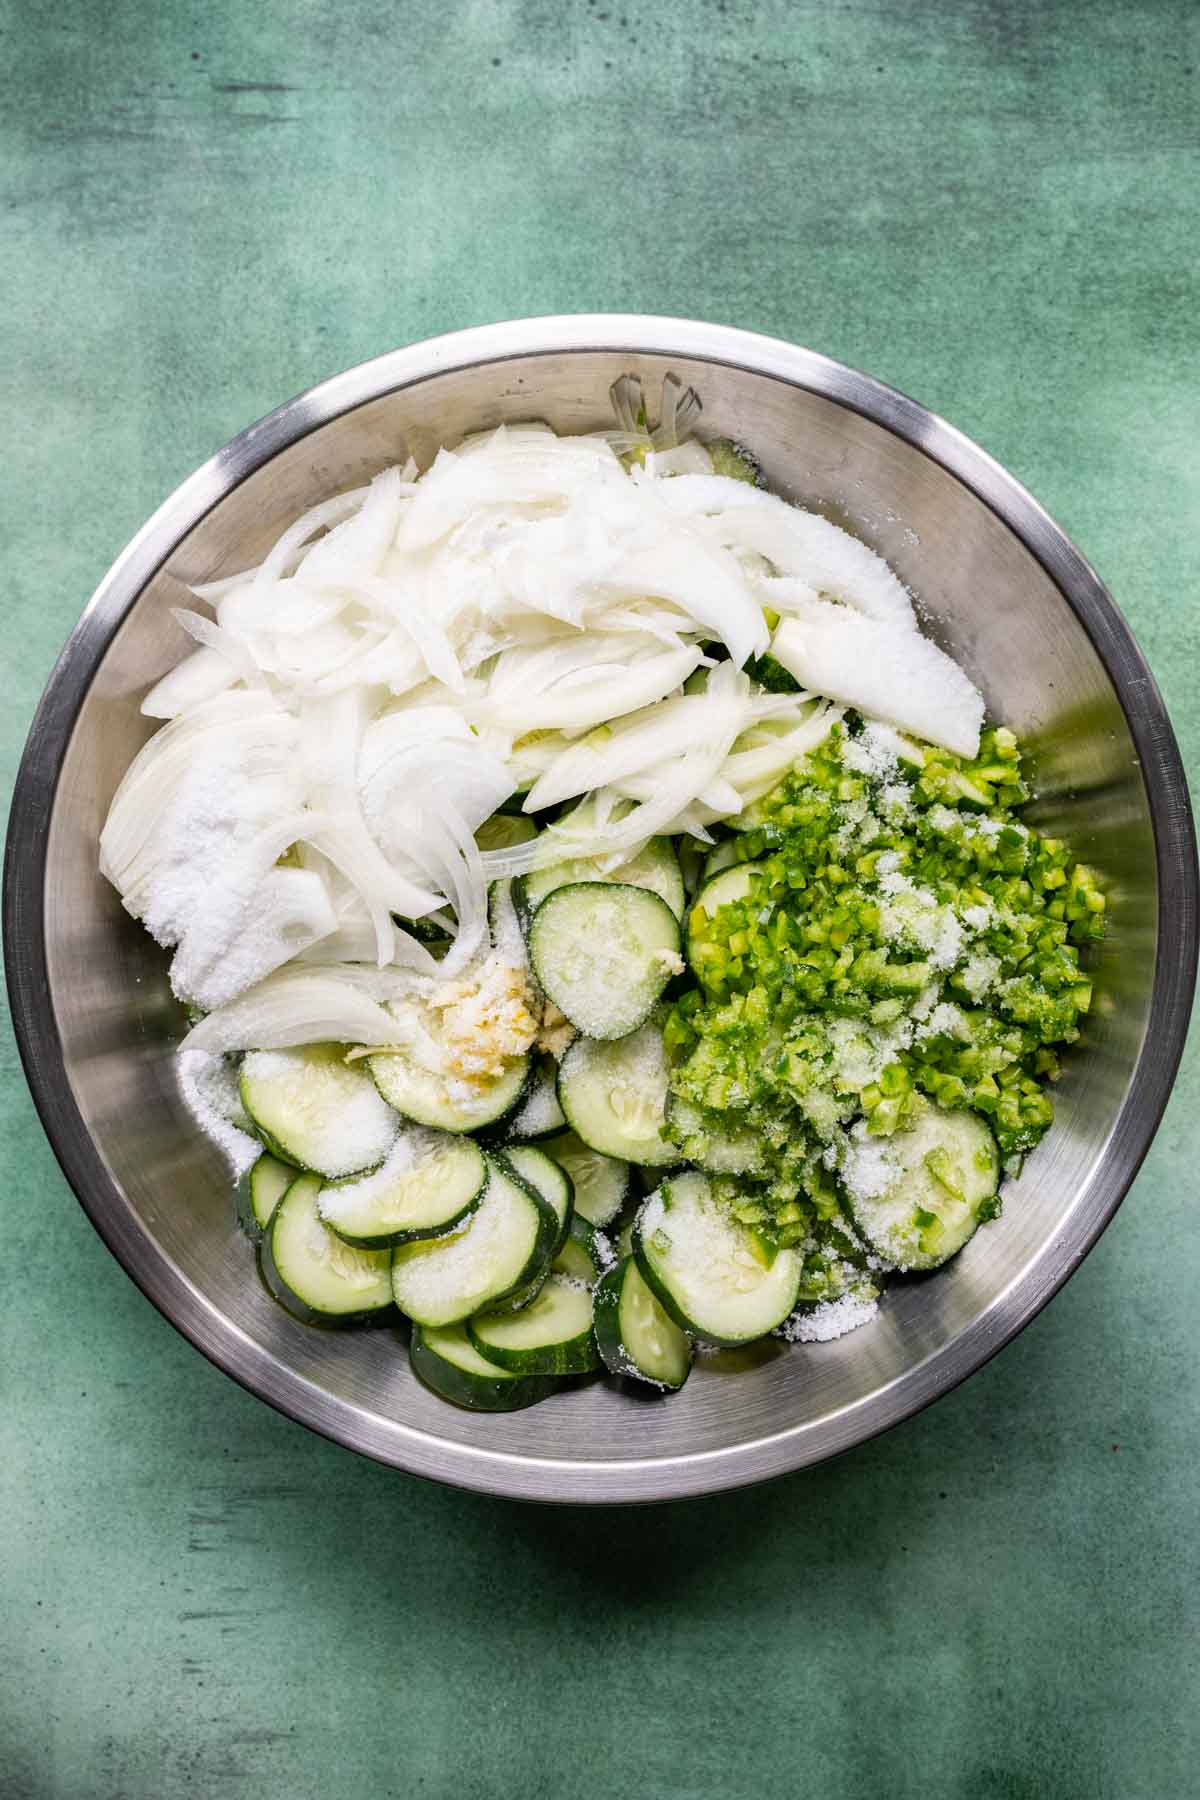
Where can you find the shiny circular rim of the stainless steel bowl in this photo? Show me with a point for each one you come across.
(551, 1479)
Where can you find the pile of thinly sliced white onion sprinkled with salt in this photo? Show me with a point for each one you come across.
(532, 622)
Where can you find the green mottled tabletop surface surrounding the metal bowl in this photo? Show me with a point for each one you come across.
(210, 208)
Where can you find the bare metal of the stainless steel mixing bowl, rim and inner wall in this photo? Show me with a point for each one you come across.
(1008, 595)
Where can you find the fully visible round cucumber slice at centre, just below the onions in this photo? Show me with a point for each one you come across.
(604, 953)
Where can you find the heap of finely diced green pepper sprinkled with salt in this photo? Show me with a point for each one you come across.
(884, 937)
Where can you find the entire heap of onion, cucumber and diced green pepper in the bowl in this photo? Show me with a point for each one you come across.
(602, 922)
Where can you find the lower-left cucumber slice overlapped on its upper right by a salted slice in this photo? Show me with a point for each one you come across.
(312, 1273)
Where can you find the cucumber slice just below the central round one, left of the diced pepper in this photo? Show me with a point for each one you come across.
(616, 1095)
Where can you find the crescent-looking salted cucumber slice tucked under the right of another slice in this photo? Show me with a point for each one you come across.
(501, 1255)
